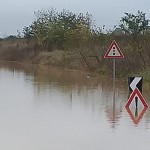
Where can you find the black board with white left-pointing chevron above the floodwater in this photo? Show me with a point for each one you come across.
(135, 82)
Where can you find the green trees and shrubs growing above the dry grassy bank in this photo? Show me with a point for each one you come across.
(76, 32)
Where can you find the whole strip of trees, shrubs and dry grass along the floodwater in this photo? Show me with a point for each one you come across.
(72, 40)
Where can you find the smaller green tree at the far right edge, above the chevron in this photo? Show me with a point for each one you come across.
(135, 26)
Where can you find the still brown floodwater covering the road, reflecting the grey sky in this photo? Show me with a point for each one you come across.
(44, 108)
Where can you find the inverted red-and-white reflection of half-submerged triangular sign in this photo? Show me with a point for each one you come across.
(135, 116)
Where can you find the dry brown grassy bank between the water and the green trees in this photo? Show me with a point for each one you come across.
(88, 59)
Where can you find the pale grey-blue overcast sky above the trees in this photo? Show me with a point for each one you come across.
(15, 14)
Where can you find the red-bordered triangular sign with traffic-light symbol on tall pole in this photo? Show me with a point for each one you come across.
(114, 51)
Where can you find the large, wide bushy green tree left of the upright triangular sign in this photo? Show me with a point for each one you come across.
(54, 29)
